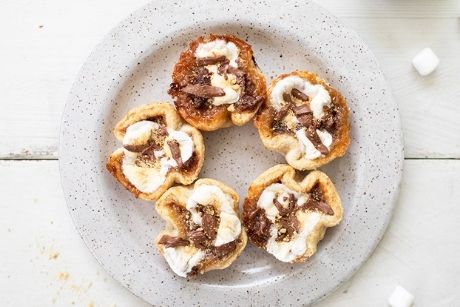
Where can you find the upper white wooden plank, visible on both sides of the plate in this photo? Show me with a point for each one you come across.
(50, 42)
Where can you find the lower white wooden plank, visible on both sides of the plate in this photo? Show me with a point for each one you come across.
(42, 252)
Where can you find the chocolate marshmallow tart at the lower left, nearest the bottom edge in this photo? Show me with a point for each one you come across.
(204, 231)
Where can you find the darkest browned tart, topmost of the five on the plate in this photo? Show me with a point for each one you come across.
(216, 83)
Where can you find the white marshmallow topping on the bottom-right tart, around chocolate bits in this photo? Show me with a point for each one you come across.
(287, 251)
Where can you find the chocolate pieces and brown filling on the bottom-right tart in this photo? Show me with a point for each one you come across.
(258, 225)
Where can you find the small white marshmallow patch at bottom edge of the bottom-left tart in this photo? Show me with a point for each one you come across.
(182, 259)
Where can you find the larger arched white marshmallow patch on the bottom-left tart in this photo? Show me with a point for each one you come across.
(230, 226)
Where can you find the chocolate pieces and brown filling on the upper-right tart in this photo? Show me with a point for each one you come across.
(298, 103)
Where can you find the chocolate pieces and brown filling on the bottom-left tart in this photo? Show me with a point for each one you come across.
(199, 236)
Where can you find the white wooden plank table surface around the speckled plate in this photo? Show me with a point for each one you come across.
(44, 262)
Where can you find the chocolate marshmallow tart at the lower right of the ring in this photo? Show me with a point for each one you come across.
(287, 217)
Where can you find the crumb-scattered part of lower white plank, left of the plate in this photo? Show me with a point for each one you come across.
(42, 253)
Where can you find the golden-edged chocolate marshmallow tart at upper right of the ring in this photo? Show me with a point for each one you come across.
(305, 119)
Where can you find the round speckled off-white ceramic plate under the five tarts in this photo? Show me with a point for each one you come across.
(132, 66)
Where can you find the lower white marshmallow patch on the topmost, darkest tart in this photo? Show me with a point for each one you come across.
(231, 89)
